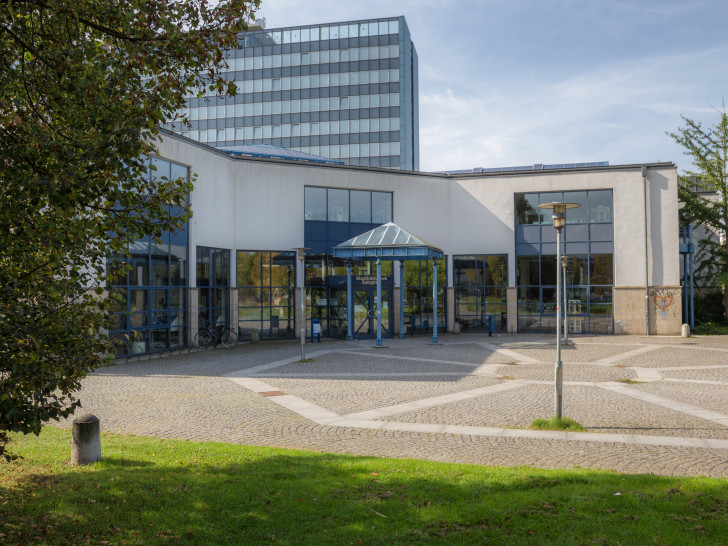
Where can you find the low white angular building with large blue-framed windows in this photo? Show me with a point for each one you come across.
(236, 263)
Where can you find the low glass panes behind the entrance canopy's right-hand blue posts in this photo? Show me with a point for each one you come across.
(418, 308)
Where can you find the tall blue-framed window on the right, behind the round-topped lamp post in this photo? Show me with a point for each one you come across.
(588, 243)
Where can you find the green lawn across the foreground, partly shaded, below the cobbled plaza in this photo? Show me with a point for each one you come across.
(151, 491)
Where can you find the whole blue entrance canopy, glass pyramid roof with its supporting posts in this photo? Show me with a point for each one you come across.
(388, 242)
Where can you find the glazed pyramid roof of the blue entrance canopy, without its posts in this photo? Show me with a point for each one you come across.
(387, 242)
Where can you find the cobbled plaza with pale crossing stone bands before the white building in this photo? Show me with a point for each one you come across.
(650, 404)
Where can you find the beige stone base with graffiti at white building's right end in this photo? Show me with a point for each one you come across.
(665, 310)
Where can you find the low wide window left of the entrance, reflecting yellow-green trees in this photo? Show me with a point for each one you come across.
(266, 294)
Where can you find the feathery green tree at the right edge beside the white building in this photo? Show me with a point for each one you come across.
(704, 193)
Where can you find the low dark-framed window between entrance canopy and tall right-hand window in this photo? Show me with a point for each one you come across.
(480, 283)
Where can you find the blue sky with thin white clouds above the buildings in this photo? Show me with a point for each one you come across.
(517, 82)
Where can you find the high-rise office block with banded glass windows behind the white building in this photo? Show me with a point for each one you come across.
(346, 91)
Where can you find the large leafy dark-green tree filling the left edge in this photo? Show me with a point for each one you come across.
(85, 86)
